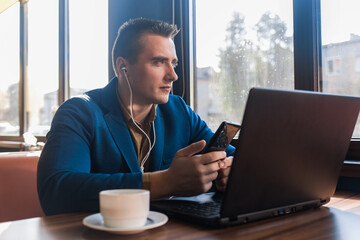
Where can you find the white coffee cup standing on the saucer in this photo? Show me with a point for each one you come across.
(124, 208)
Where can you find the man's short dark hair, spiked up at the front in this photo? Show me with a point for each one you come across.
(128, 43)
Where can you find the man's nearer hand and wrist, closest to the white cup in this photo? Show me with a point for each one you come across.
(188, 174)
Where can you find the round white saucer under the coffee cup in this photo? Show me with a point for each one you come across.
(155, 219)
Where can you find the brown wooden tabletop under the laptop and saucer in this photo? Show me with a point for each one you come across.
(339, 219)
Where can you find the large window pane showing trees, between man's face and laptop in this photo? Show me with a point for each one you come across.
(239, 45)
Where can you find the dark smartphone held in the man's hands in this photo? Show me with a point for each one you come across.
(222, 137)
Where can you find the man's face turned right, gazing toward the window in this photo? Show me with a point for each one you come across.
(152, 75)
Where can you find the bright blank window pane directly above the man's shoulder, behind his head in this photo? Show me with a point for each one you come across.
(88, 45)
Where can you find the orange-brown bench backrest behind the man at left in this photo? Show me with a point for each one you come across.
(18, 191)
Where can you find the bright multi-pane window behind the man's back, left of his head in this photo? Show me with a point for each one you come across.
(39, 83)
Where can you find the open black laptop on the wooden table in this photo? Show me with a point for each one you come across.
(288, 158)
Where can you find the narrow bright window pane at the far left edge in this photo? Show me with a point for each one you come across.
(9, 71)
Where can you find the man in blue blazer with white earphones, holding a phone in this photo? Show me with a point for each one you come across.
(130, 134)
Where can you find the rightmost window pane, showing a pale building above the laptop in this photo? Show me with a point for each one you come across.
(341, 48)
